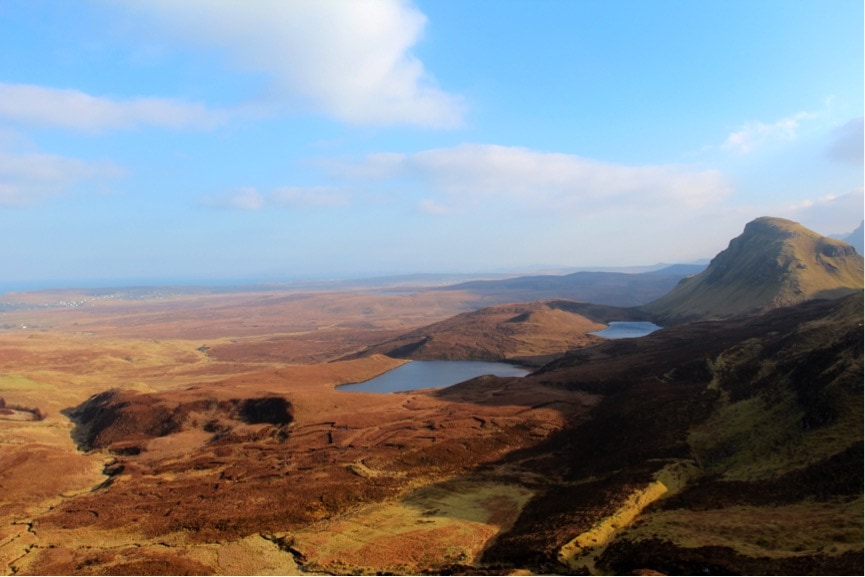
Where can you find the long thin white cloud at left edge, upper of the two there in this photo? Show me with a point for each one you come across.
(23, 103)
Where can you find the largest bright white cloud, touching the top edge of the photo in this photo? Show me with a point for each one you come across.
(351, 60)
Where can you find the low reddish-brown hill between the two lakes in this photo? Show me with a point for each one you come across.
(529, 333)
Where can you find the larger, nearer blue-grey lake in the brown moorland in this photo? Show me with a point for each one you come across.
(433, 375)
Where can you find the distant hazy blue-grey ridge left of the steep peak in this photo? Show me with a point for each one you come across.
(606, 288)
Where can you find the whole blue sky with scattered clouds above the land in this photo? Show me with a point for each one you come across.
(306, 139)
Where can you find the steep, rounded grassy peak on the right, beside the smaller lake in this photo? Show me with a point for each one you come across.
(774, 262)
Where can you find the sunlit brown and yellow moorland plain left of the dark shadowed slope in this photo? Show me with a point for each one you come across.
(202, 434)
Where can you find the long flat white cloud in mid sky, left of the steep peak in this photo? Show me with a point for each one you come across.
(472, 174)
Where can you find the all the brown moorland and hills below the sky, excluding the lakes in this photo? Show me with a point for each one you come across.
(181, 431)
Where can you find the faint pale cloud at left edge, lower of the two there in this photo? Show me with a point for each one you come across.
(28, 178)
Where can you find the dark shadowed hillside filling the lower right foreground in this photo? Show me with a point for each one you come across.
(725, 447)
